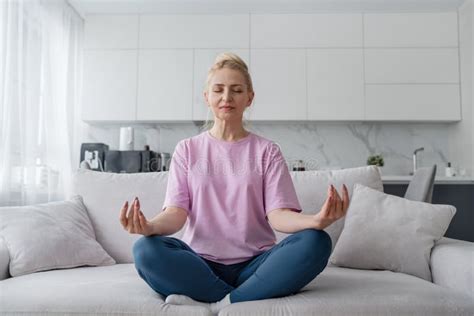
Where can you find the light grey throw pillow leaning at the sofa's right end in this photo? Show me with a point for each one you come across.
(387, 232)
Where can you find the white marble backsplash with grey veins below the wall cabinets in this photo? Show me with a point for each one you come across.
(321, 145)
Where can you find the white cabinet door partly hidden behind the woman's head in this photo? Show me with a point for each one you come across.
(203, 61)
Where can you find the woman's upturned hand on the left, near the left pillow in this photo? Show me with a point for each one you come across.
(135, 222)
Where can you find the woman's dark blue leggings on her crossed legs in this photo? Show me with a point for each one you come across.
(170, 266)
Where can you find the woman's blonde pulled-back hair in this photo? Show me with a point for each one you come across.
(231, 61)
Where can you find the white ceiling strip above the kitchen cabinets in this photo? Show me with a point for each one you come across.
(85, 7)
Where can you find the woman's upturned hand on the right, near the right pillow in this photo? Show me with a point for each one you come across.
(334, 208)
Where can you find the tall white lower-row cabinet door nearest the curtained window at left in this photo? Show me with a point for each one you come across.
(109, 87)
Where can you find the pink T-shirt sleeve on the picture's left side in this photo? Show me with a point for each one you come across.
(177, 190)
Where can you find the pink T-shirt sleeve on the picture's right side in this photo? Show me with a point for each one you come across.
(278, 188)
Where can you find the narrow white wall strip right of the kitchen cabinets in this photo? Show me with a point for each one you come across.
(461, 136)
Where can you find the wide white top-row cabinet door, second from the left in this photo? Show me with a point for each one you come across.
(194, 31)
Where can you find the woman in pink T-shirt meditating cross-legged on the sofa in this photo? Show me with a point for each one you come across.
(233, 187)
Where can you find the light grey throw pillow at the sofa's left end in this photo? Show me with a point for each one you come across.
(50, 236)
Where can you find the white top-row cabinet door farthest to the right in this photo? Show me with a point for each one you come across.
(437, 29)
